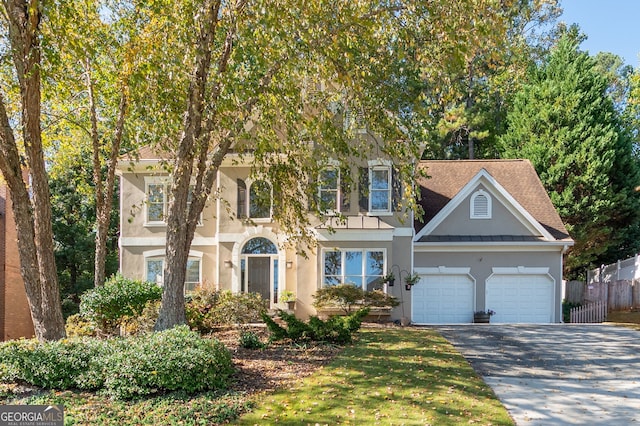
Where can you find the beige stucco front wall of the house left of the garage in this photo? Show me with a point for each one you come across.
(222, 243)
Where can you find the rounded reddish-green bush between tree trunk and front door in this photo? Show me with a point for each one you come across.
(209, 309)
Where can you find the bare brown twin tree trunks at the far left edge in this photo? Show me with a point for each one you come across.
(21, 22)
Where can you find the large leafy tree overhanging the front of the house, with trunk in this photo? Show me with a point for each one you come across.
(255, 70)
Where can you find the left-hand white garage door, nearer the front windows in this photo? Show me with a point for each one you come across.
(443, 299)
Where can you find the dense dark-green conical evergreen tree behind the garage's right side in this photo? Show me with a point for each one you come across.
(564, 122)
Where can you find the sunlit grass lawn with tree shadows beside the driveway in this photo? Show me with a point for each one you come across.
(391, 377)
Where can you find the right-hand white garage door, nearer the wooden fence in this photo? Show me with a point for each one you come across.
(518, 298)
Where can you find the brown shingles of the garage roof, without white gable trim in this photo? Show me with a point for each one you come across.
(518, 177)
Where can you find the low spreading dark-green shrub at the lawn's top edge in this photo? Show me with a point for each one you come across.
(337, 329)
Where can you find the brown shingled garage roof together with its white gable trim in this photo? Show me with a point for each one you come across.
(513, 182)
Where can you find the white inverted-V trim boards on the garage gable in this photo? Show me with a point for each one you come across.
(496, 190)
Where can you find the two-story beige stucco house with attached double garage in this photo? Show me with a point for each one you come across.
(490, 238)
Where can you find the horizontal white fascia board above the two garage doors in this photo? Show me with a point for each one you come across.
(491, 246)
